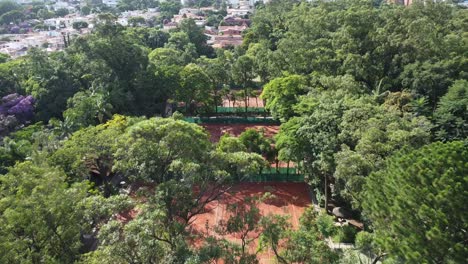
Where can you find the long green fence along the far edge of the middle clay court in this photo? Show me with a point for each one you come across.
(232, 120)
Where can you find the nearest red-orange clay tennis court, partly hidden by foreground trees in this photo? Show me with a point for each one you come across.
(290, 199)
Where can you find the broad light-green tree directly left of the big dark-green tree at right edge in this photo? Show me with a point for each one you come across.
(370, 133)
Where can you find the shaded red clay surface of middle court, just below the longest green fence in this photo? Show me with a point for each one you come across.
(217, 130)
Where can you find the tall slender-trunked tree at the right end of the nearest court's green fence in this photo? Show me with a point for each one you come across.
(312, 140)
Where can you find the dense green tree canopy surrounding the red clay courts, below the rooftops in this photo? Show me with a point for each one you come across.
(373, 104)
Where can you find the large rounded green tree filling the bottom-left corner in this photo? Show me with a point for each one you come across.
(41, 215)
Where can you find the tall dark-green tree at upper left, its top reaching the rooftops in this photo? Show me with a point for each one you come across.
(114, 61)
